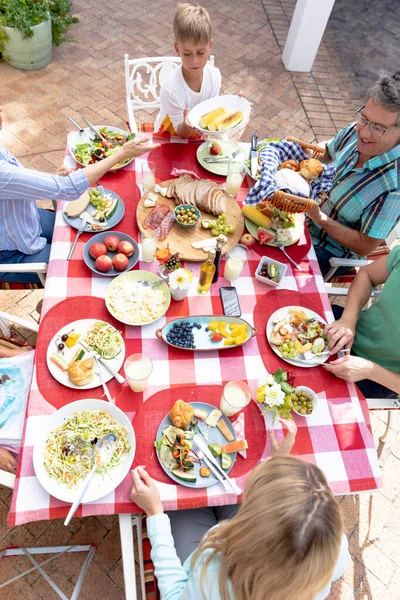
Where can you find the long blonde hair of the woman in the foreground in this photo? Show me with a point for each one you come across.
(284, 542)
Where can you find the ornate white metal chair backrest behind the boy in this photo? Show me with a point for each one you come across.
(143, 79)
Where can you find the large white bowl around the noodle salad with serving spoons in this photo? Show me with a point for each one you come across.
(101, 485)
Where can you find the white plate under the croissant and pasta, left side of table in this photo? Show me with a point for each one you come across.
(81, 326)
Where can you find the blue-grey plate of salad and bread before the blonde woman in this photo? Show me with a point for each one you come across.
(174, 446)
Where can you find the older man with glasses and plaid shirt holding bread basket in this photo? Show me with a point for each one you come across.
(364, 203)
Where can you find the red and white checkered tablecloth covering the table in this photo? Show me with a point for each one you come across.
(337, 438)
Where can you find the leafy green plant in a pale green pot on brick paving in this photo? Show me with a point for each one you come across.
(29, 27)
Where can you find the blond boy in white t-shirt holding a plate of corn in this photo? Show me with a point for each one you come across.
(194, 80)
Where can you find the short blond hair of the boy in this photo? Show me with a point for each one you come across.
(192, 23)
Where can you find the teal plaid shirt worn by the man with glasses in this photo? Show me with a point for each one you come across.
(365, 199)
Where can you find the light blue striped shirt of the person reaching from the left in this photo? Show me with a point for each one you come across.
(19, 190)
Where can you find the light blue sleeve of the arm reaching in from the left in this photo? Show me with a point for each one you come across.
(16, 182)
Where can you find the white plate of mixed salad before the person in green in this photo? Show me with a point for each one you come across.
(297, 335)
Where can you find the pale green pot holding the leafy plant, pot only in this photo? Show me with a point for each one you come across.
(31, 53)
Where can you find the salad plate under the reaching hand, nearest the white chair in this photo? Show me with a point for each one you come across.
(87, 149)
